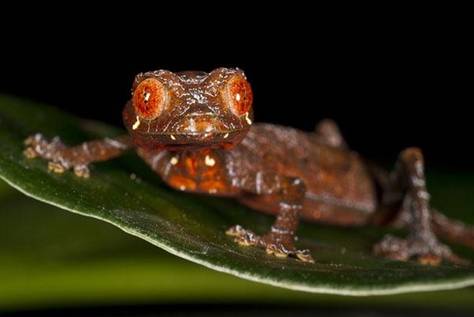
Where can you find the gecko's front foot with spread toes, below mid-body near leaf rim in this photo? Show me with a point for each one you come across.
(279, 245)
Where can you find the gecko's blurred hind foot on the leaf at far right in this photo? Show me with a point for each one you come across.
(425, 251)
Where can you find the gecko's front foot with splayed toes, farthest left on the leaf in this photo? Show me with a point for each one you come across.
(54, 152)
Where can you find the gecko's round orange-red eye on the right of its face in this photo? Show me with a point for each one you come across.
(238, 95)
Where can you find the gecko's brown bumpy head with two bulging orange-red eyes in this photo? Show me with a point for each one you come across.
(189, 109)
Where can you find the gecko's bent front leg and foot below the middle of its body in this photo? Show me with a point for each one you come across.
(279, 241)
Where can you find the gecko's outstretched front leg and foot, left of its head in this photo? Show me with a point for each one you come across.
(62, 158)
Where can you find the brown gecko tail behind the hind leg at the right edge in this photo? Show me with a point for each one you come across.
(452, 230)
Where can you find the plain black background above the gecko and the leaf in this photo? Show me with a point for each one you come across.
(388, 83)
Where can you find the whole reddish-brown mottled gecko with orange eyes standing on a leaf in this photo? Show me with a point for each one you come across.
(195, 130)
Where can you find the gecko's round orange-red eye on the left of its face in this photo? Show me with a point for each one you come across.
(149, 98)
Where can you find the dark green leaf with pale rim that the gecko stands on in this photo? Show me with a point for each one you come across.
(125, 193)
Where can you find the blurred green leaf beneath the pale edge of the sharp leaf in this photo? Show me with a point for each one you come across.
(53, 259)
